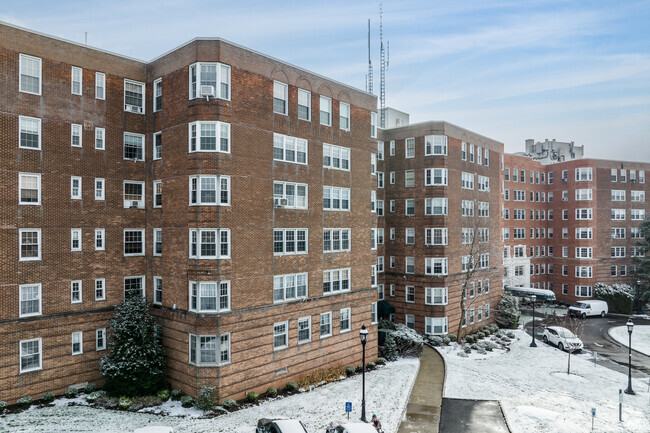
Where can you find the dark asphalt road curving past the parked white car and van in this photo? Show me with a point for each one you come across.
(596, 339)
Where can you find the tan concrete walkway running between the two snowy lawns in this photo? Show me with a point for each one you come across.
(423, 410)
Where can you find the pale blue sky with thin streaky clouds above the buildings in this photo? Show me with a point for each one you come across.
(572, 70)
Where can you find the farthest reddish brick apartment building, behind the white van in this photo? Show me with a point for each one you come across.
(570, 224)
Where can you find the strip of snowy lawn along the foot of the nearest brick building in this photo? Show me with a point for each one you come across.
(387, 391)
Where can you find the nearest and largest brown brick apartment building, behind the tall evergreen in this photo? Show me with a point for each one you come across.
(230, 189)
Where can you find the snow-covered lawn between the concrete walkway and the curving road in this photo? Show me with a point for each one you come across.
(538, 396)
